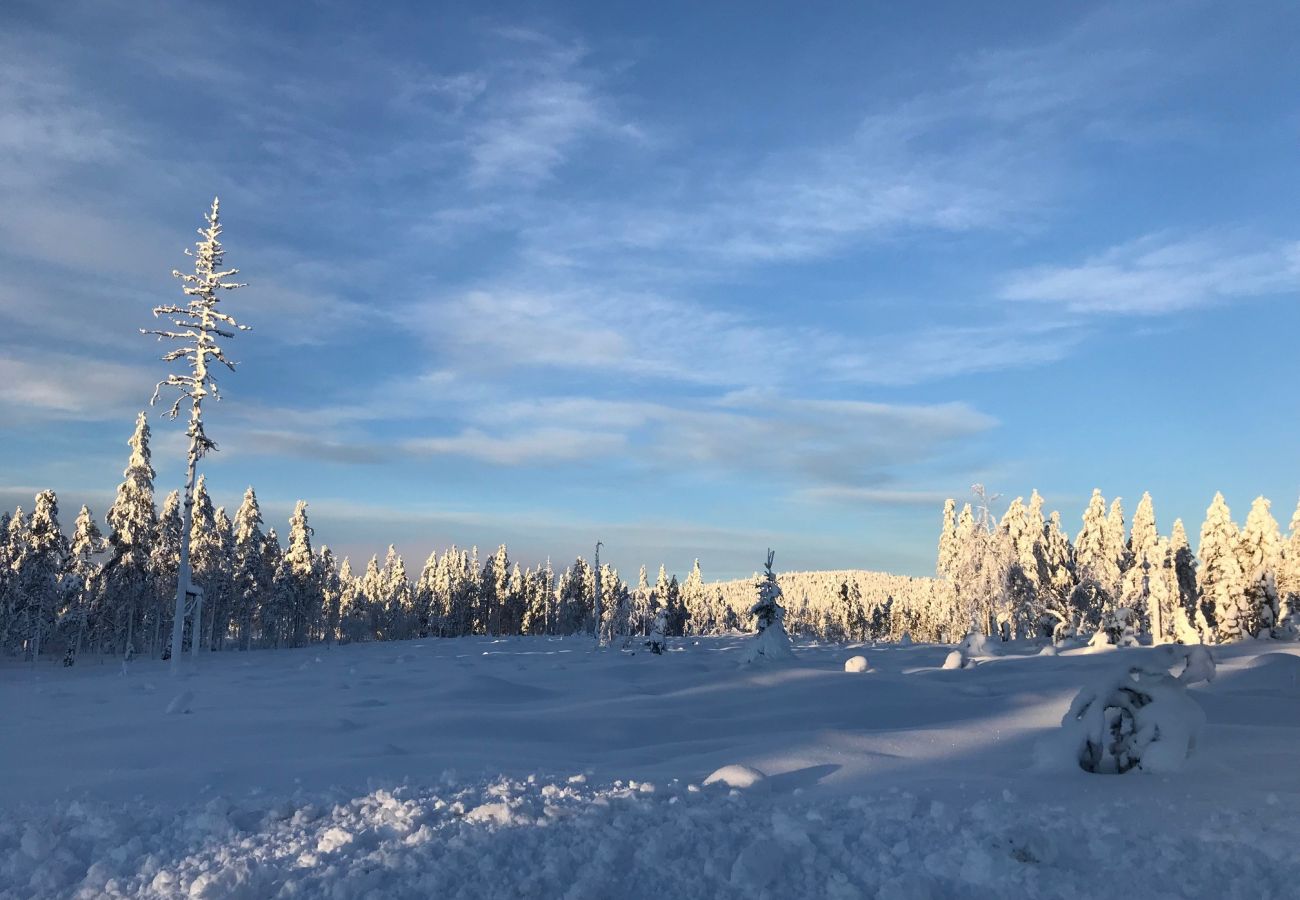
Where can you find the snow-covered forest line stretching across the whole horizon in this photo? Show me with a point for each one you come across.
(111, 591)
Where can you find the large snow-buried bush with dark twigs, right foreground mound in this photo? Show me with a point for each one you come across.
(1141, 720)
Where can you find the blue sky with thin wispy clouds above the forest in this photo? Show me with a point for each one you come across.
(691, 279)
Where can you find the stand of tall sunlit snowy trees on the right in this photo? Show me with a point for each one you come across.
(1024, 576)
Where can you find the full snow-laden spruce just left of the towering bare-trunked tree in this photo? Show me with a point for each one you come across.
(133, 531)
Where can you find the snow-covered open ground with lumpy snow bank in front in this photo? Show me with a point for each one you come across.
(540, 768)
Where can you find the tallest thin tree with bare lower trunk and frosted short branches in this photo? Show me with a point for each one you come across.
(196, 327)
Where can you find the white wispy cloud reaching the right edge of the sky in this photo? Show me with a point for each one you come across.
(1159, 275)
